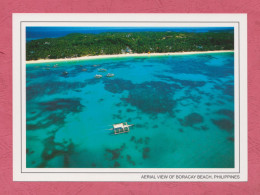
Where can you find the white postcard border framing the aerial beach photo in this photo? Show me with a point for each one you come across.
(21, 173)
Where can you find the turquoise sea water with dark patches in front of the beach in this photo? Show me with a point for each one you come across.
(182, 108)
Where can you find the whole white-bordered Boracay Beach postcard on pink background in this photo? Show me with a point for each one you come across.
(130, 97)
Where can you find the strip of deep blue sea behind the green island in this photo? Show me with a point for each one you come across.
(33, 33)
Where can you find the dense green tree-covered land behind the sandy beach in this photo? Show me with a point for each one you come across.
(76, 45)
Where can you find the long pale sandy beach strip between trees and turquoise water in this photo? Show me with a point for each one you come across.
(124, 55)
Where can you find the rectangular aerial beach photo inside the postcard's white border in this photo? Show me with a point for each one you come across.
(129, 97)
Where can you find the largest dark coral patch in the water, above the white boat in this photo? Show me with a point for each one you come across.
(150, 97)
